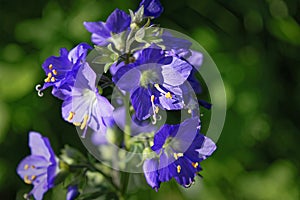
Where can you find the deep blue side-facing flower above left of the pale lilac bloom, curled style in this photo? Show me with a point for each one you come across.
(61, 71)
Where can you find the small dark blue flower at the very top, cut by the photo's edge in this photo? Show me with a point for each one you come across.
(152, 8)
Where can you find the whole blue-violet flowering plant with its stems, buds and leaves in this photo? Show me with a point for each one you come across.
(118, 94)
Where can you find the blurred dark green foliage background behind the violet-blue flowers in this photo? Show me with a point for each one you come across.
(256, 46)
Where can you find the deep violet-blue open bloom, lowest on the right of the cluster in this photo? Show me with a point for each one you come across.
(180, 148)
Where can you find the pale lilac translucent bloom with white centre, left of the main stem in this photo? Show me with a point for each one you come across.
(85, 107)
